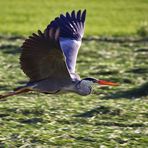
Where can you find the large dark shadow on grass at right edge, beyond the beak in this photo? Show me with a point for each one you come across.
(137, 92)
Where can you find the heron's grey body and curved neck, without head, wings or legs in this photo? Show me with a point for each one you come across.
(52, 87)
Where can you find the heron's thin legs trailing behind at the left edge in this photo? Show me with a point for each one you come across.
(16, 91)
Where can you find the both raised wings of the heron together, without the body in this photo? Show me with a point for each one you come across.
(53, 53)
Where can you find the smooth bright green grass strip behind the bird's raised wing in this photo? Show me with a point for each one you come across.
(104, 17)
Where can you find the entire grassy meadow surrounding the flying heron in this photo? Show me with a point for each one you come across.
(111, 117)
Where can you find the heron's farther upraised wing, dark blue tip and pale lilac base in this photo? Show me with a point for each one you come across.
(71, 32)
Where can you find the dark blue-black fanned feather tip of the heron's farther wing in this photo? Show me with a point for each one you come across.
(71, 25)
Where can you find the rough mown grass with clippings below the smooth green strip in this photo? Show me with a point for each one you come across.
(110, 117)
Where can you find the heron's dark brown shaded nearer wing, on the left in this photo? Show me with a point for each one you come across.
(42, 57)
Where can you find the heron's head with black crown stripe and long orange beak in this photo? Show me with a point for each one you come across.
(90, 81)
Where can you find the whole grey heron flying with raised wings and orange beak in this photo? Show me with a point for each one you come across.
(49, 58)
